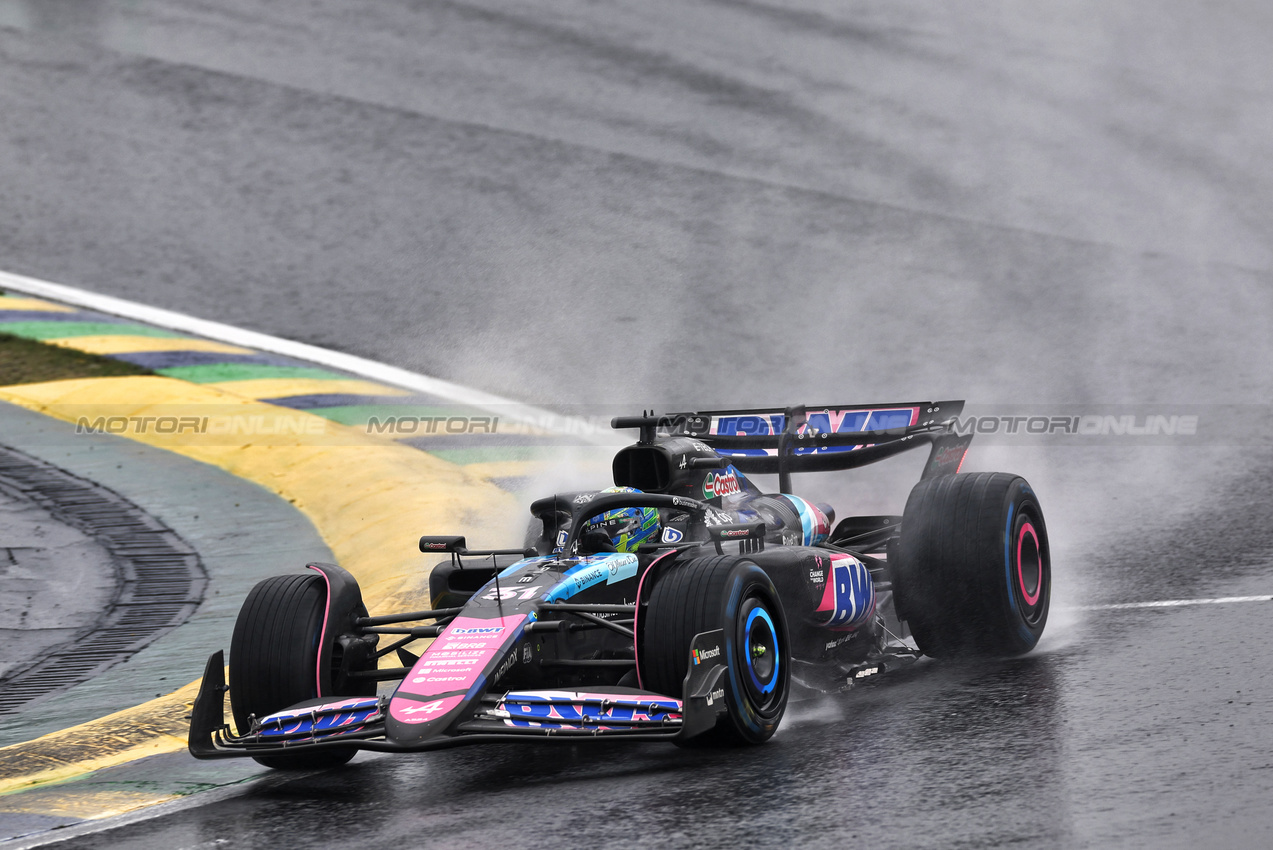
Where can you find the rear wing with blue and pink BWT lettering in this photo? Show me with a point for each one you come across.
(817, 440)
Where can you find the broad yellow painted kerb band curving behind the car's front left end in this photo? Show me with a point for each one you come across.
(370, 499)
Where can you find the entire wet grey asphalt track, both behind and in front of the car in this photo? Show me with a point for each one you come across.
(743, 203)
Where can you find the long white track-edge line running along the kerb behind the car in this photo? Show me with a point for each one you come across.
(371, 370)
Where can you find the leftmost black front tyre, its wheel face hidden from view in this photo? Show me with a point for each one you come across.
(274, 653)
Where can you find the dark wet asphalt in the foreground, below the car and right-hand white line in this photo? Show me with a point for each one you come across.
(1080, 745)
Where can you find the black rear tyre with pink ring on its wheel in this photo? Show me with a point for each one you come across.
(973, 576)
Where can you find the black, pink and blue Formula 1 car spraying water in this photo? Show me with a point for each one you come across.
(682, 605)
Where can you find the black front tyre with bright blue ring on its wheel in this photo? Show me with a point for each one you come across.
(734, 595)
